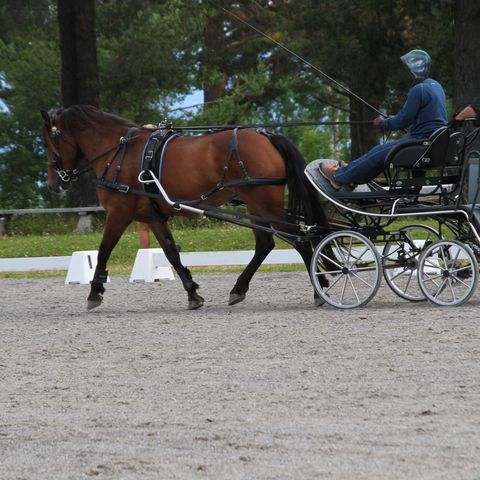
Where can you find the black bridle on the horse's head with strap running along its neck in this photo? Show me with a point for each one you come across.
(72, 175)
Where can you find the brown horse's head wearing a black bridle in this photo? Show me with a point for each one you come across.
(63, 152)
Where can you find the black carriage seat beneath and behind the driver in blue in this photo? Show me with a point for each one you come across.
(440, 149)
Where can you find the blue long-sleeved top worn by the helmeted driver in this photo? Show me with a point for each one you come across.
(424, 111)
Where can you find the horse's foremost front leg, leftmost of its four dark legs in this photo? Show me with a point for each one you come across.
(114, 227)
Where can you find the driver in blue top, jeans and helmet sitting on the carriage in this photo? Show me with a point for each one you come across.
(424, 112)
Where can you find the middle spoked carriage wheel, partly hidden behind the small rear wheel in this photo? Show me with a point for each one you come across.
(400, 259)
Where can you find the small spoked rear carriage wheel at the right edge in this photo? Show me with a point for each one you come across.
(447, 272)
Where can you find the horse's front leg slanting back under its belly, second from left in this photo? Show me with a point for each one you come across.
(164, 236)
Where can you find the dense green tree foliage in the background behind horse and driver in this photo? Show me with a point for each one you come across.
(152, 53)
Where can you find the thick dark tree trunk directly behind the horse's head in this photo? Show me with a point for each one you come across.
(79, 76)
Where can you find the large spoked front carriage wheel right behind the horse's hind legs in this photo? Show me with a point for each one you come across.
(350, 263)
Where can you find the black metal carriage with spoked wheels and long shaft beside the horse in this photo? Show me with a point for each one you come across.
(423, 179)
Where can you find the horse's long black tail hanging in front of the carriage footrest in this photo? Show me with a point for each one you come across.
(302, 197)
